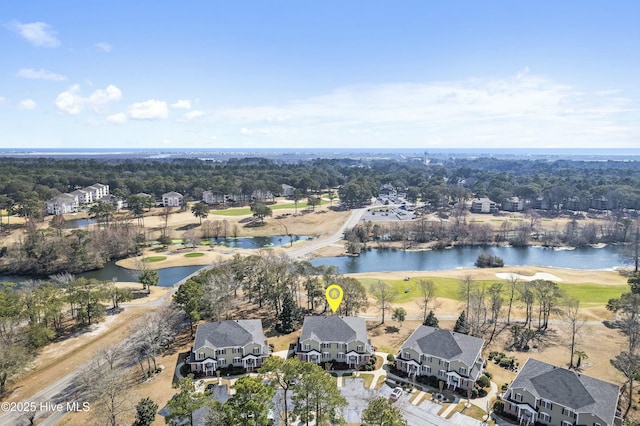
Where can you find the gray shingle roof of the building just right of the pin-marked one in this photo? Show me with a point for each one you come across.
(445, 344)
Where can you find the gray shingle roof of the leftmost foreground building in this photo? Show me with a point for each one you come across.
(231, 333)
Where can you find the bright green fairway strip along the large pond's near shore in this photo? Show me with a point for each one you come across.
(449, 288)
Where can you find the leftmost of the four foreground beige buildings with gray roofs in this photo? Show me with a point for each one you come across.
(239, 343)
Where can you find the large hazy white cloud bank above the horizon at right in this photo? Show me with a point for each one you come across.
(523, 110)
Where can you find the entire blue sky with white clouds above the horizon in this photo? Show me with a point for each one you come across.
(298, 74)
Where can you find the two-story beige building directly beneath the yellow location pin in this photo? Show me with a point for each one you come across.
(334, 339)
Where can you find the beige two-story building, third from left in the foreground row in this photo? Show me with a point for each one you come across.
(451, 357)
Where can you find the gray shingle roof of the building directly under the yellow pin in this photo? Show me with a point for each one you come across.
(334, 329)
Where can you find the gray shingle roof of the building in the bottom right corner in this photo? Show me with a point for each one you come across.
(583, 394)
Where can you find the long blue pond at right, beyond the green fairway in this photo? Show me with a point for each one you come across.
(379, 260)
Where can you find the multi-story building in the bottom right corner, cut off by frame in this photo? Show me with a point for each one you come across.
(542, 393)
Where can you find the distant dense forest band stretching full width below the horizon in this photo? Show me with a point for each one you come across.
(26, 183)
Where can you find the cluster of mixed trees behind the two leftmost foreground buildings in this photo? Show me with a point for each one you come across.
(288, 288)
